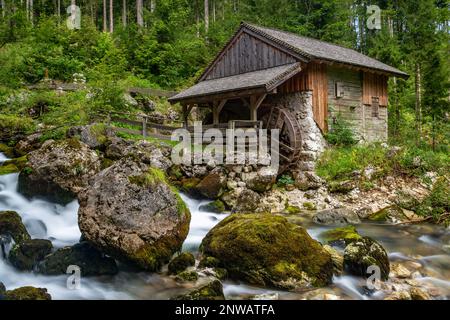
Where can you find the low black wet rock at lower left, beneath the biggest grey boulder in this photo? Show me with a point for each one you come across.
(90, 261)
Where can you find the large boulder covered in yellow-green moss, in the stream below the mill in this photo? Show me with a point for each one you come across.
(267, 250)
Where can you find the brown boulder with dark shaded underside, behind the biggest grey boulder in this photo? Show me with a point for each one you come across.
(59, 170)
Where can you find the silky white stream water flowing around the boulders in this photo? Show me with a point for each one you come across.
(424, 244)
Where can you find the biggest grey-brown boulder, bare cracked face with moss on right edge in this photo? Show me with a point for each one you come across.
(132, 214)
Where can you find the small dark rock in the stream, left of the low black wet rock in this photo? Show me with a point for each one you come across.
(27, 254)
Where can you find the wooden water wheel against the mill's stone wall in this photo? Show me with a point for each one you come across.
(290, 140)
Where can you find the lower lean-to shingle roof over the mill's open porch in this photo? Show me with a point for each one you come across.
(266, 80)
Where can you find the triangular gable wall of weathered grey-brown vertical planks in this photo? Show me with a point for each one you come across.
(248, 54)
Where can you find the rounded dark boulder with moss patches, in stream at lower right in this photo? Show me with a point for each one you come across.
(364, 253)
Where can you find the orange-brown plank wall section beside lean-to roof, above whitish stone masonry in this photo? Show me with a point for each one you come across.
(313, 78)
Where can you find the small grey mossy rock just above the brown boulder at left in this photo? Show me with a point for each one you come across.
(94, 135)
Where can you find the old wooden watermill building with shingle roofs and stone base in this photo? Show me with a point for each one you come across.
(298, 84)
